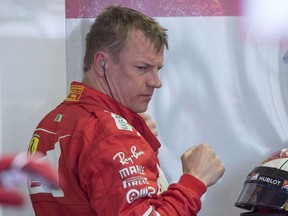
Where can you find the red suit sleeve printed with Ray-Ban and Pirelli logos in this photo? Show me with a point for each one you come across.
(120, 178)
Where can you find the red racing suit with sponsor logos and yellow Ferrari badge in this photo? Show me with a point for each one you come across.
(107, 164)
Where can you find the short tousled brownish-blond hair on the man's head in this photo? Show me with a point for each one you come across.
(110, 31)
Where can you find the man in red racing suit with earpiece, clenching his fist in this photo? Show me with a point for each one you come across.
(105, 153)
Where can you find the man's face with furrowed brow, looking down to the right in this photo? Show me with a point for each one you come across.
(130, 80)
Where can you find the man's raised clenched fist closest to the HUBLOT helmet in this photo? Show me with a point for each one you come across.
(203, 163)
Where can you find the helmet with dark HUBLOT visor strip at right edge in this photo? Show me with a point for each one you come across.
(266, 187)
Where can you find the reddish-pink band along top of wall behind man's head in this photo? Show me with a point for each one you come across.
(156, 8)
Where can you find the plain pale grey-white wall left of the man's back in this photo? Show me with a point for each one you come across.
(33, 71)
